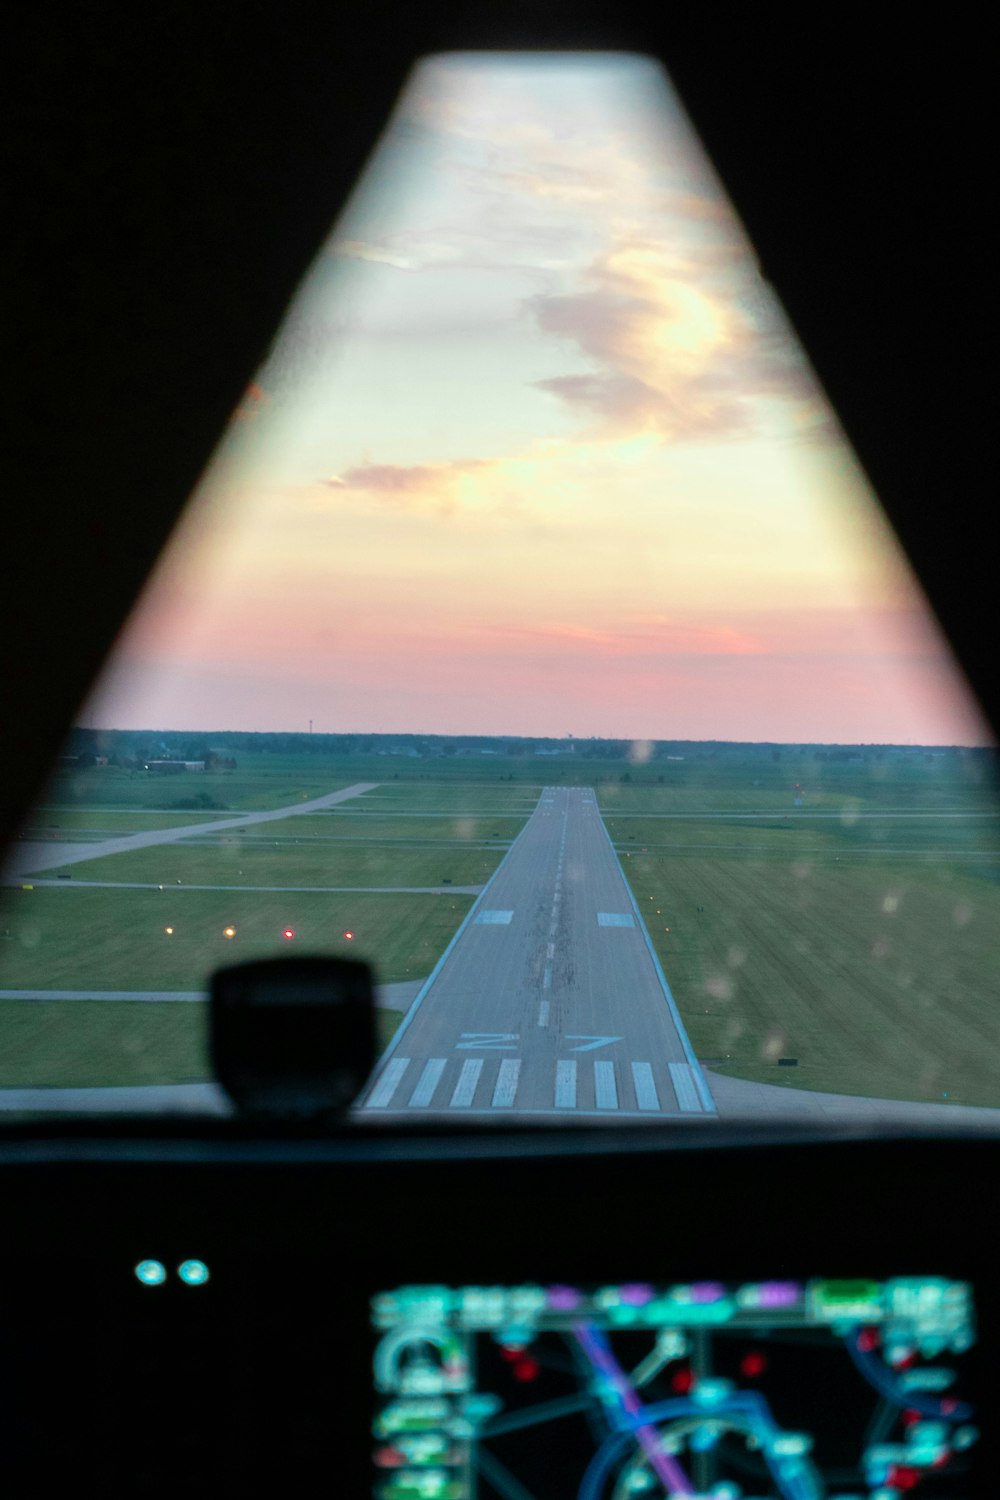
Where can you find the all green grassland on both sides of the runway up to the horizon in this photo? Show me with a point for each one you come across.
(840, 914)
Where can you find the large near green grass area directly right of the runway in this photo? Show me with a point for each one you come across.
(879, 979)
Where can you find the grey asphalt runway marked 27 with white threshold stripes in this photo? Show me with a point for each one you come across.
(549, 1000)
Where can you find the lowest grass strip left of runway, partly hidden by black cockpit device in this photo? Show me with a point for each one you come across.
(115, 1045)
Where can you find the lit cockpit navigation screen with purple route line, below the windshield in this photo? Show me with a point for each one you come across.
(821, 1390)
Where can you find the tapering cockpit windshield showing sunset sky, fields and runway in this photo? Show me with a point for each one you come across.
(534, 635)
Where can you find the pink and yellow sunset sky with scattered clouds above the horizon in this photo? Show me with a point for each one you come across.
(536, 452)
